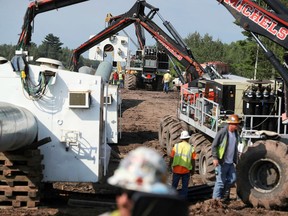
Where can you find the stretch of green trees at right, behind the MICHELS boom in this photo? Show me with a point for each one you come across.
(241, 55)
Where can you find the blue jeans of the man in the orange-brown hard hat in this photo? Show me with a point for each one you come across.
(225, 178)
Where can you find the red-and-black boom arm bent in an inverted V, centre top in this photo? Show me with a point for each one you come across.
(173, 45)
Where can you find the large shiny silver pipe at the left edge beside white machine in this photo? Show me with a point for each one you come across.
(18, 127)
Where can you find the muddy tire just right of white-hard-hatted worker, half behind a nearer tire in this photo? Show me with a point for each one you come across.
(198, 140)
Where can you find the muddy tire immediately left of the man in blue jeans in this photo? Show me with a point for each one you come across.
(206, 167)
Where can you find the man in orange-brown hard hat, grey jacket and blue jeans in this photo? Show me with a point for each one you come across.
(225, 155)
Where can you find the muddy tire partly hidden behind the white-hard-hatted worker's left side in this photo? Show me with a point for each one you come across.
(173, 134)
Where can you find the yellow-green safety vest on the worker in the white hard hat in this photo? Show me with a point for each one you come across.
(183, 154)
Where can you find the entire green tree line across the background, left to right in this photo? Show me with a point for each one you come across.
(240, 55)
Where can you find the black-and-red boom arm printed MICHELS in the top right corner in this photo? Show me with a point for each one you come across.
(259, 21)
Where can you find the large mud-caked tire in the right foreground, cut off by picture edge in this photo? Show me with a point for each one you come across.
(262, 175)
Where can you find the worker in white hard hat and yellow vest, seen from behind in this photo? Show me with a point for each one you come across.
(182, 159)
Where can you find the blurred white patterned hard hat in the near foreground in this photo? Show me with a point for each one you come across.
(144, 170)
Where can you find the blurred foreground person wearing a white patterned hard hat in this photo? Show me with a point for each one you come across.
(142, 170)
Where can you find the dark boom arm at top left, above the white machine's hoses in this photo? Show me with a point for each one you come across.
(35, 8)
